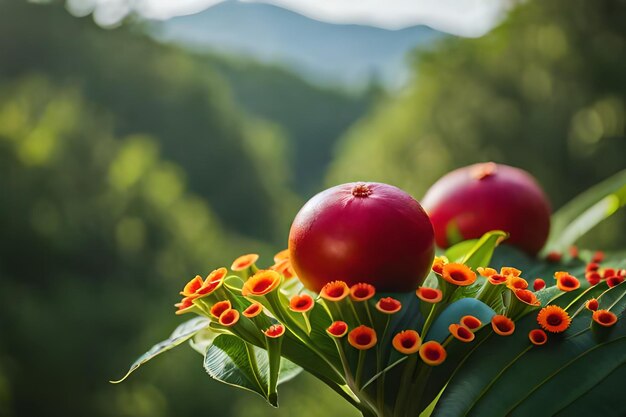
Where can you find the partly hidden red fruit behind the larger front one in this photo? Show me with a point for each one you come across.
(488, 196)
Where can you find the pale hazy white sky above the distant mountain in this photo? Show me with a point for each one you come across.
(463, 17)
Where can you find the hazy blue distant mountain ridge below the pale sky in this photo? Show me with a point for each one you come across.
(347, 54)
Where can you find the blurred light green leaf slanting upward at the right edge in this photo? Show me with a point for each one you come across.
(586, 210)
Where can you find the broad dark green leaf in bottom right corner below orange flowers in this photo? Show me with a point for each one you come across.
(508, 376)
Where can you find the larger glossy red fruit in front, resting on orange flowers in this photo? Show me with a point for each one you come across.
(362, 232)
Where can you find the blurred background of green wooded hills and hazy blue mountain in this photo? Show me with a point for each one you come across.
(135, 153)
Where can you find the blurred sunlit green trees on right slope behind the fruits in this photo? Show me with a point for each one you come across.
(543, 91)
